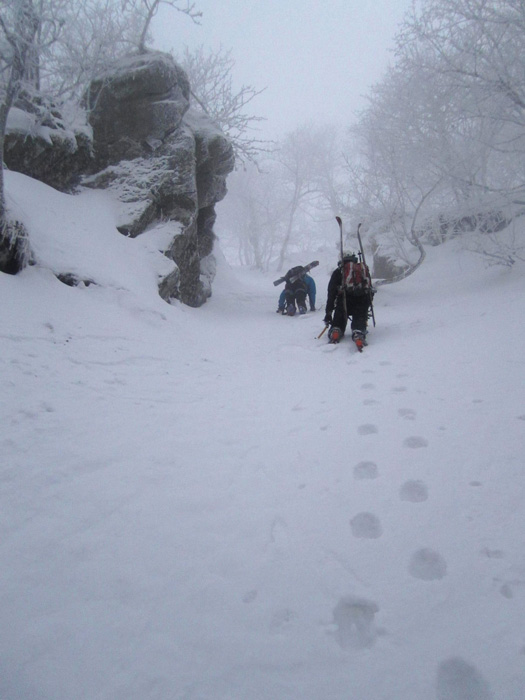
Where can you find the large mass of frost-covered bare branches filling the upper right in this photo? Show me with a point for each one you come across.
(443, 136)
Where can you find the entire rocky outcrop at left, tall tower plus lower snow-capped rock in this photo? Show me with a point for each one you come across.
(162, 161)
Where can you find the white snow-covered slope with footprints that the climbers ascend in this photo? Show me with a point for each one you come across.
(213, 504)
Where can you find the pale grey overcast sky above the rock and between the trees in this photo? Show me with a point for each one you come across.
(316, 58)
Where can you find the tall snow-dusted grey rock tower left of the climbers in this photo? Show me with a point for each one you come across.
(163, 162)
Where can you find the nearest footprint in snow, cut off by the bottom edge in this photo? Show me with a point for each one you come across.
(459, 680)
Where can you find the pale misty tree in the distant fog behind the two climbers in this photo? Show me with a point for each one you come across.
(287, 203)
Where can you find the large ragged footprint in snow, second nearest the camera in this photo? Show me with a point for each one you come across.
(354, 622)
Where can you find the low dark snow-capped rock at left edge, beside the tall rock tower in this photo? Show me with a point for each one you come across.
(41, 144)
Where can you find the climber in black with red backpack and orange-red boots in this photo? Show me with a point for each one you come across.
(350, 293)
